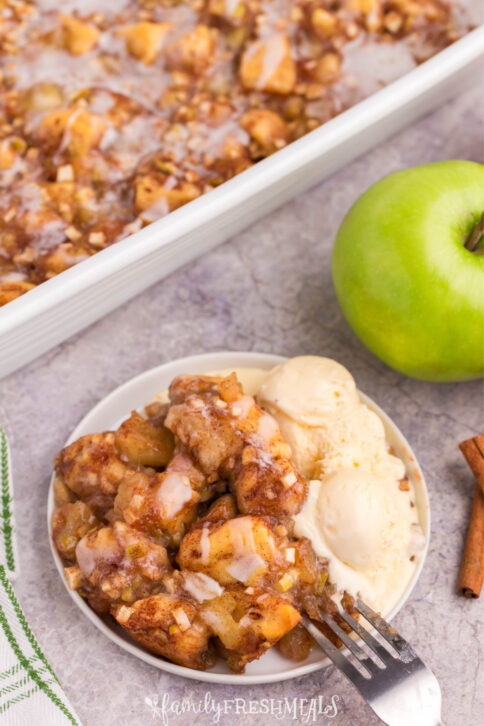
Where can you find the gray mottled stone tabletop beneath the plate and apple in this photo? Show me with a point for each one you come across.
(269, 289)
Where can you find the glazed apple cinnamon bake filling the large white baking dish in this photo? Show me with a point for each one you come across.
(113, 113)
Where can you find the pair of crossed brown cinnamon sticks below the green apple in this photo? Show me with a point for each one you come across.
(472, 568)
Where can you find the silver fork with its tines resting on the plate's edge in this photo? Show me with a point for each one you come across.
(397, 685)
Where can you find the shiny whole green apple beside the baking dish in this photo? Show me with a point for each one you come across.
(408, 270)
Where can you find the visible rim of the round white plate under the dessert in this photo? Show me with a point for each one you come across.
(134, 394)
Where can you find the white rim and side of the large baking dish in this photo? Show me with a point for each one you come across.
(60, 307)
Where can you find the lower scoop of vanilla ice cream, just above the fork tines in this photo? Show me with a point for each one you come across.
(368, 530)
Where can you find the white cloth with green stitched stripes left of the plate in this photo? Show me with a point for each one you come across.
(29, 690)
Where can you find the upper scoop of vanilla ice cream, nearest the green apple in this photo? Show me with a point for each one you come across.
(319, 412)
